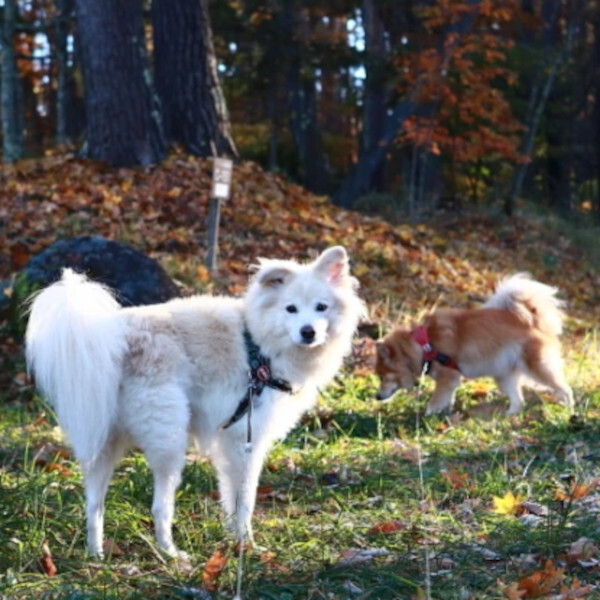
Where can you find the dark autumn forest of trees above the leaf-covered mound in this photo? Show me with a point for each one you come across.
(385, 105)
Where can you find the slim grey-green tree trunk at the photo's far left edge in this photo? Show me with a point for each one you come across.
(12, 136)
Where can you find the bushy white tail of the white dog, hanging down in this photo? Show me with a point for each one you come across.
(75, 341)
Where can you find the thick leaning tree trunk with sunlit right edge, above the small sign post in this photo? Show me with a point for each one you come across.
(193, 106)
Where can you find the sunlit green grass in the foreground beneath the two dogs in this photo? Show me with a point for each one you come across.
(351, 465)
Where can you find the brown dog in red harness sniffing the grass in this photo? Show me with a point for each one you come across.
(512, 338)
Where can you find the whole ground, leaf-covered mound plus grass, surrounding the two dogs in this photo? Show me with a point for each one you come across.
(363, 500)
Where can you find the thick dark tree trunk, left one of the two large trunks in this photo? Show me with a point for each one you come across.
(122, 116)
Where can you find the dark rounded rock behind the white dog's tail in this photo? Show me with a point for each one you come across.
(136, 278)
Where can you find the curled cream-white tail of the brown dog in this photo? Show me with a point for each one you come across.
(534, 302)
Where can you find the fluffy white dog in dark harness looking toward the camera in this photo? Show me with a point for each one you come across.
(149, 376)
